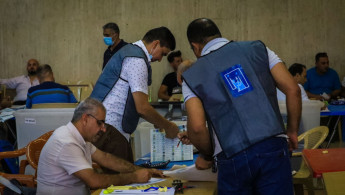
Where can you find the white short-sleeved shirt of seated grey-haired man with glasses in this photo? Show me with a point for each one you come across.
(65, 153)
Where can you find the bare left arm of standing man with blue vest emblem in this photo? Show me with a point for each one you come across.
(198, 133)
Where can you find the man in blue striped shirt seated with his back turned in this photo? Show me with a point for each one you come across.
(48, 91)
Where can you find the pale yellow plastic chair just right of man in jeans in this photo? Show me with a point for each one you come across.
(313, 138)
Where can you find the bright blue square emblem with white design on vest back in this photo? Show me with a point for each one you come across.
(236, 80)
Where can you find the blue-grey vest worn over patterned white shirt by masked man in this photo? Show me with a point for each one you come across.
(110, 76)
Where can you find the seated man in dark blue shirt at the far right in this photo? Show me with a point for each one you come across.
(322, 80)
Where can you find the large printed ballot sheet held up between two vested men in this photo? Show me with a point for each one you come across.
(163, 149)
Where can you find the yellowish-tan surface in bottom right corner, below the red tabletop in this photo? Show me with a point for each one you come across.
(334, 182)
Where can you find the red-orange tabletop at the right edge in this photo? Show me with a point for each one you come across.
(322, 161)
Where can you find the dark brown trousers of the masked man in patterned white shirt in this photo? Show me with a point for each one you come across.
(113, 142)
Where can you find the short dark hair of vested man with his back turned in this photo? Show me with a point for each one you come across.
(201, 29)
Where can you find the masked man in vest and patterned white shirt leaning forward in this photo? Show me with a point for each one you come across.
(123, 89)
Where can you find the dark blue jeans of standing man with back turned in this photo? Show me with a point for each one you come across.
(263, 168)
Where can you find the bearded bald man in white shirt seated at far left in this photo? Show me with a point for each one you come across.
(23, 83)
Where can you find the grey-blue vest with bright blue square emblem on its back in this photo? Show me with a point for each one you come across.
(238, 93)
